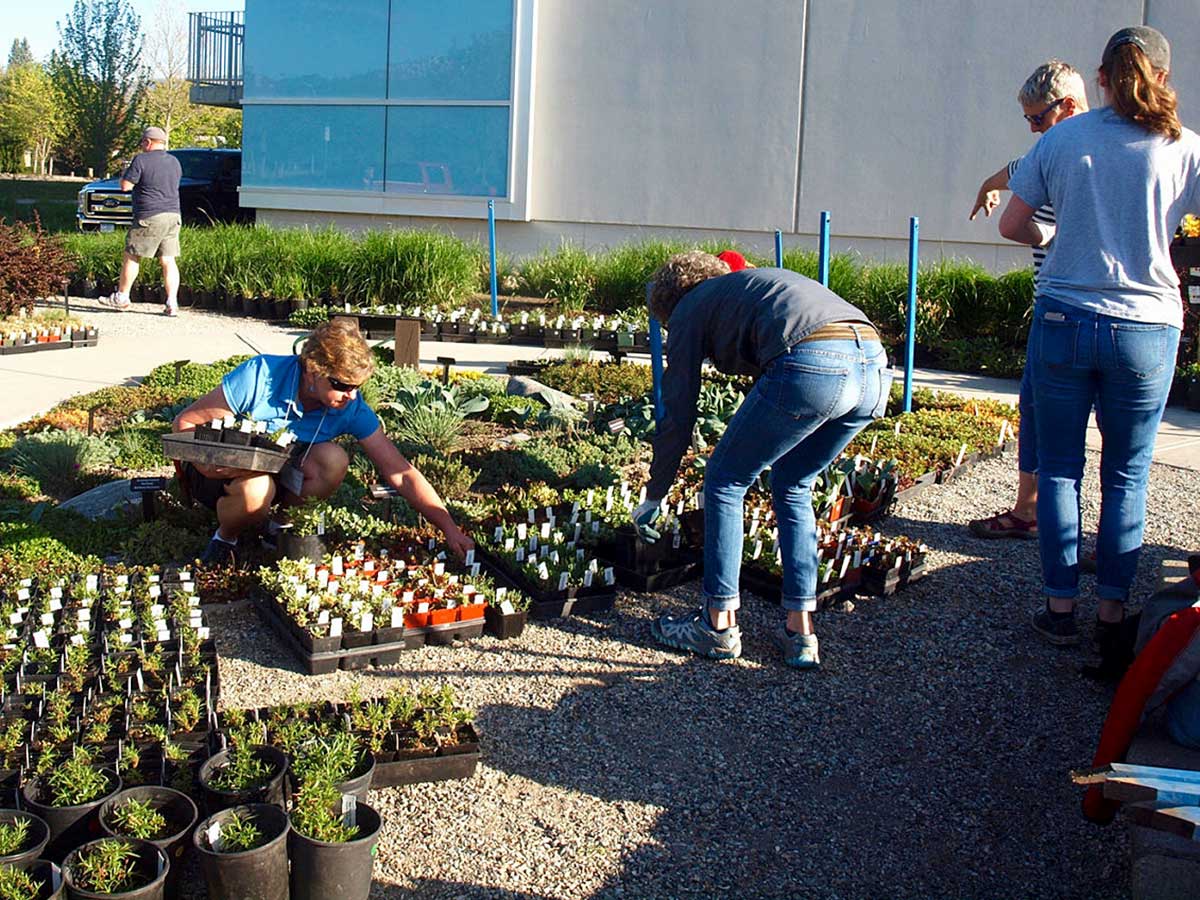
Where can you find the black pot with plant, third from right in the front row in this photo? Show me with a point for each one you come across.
(117, 867)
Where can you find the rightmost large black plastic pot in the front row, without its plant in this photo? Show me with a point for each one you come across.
(322, 871)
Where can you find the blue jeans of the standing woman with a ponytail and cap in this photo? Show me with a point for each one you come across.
(1126, 368)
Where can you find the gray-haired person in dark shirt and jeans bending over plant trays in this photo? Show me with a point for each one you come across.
(821, 379)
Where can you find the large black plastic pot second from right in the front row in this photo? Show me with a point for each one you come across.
(259, 874)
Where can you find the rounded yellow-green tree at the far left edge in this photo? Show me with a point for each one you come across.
(31, 115)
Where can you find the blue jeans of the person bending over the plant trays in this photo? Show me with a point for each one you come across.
(805, 410)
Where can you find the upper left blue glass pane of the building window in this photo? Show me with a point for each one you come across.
(316, 49)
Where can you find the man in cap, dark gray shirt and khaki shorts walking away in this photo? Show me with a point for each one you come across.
(154, 178)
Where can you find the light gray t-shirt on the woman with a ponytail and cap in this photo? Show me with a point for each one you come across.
(1119, 194)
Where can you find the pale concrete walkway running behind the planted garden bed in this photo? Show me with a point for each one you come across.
(131, 344)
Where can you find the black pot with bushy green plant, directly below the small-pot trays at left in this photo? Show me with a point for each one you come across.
(68, 801)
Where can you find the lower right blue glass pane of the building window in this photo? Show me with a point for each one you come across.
(448, 151)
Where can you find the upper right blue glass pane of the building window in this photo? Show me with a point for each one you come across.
(451, 50)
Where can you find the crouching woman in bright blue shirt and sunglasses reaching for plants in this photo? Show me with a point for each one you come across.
(315, 397)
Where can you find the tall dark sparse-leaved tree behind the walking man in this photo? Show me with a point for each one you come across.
(99, 71)
